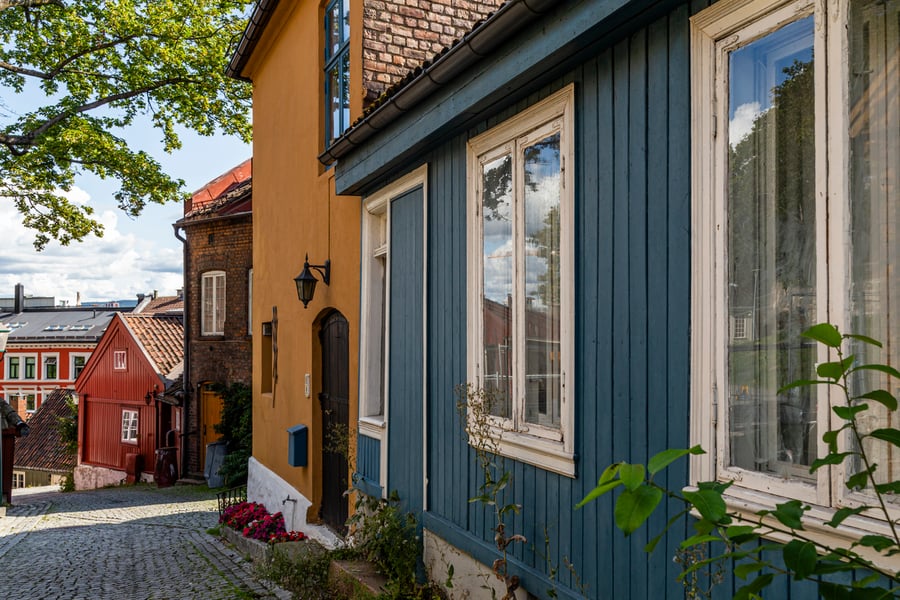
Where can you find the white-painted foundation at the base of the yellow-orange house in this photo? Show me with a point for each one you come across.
(277, 495)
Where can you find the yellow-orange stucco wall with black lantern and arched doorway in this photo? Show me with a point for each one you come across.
(295, 212)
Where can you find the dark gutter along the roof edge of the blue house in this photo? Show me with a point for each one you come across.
(508, 20)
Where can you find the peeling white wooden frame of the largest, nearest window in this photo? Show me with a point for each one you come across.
(724, 26)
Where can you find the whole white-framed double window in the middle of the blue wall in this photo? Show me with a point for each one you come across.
(521, 307)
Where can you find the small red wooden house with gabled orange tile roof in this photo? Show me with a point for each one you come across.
(130, 400)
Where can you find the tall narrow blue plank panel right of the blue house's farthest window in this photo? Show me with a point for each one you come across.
(405, 402)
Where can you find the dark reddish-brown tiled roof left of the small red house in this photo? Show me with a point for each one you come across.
(42, 449)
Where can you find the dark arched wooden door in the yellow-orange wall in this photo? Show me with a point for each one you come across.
(335, 402)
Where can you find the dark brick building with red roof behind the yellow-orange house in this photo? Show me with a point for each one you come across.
(218, 269)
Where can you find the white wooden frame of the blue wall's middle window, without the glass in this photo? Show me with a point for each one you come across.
(547, 448)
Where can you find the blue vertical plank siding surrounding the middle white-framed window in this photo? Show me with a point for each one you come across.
(632, 322)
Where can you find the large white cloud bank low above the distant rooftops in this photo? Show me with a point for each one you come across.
(115, 267)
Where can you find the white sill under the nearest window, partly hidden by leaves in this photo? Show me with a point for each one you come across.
(746, 503)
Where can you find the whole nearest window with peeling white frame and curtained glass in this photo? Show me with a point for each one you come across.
(794, 211)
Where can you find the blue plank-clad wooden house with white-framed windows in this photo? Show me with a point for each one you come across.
(610, 216)
